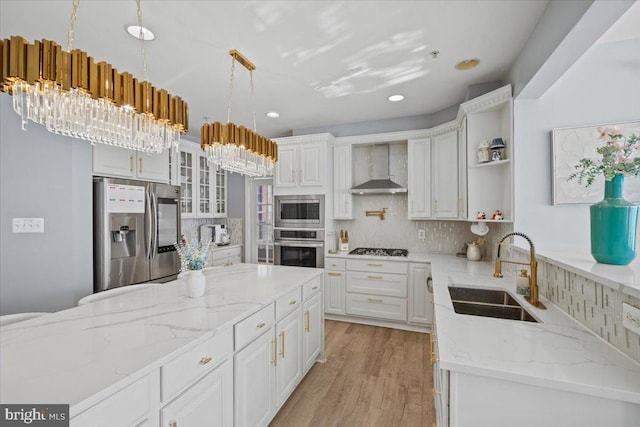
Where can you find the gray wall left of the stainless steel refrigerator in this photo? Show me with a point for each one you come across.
(48, 176)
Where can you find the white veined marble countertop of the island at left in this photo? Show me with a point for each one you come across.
(81, 355)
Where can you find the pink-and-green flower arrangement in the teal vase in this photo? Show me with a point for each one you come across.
(619, 157)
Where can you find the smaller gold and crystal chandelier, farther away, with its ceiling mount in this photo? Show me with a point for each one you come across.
(237, 148)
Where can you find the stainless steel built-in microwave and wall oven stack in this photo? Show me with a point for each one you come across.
(299, 231)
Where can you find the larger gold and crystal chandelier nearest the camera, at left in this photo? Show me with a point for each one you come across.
(70, 94)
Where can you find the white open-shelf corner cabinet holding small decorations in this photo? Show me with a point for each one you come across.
(489, 185)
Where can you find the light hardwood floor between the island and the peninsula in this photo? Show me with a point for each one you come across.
(373, 377)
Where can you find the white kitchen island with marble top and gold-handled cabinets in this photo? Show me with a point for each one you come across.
(158, 344)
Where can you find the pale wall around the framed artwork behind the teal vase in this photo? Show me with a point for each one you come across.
(602, 87)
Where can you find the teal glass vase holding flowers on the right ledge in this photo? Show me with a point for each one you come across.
(614, 222)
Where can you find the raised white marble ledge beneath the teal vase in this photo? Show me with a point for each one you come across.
(625, 278)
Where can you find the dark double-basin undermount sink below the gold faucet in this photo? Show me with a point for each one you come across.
(488, 303)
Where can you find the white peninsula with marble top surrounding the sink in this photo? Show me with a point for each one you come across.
(491, 371)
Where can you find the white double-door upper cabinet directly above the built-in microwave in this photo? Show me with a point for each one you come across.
(302, 165)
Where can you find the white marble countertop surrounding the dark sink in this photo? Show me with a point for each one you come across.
(558, 352)
